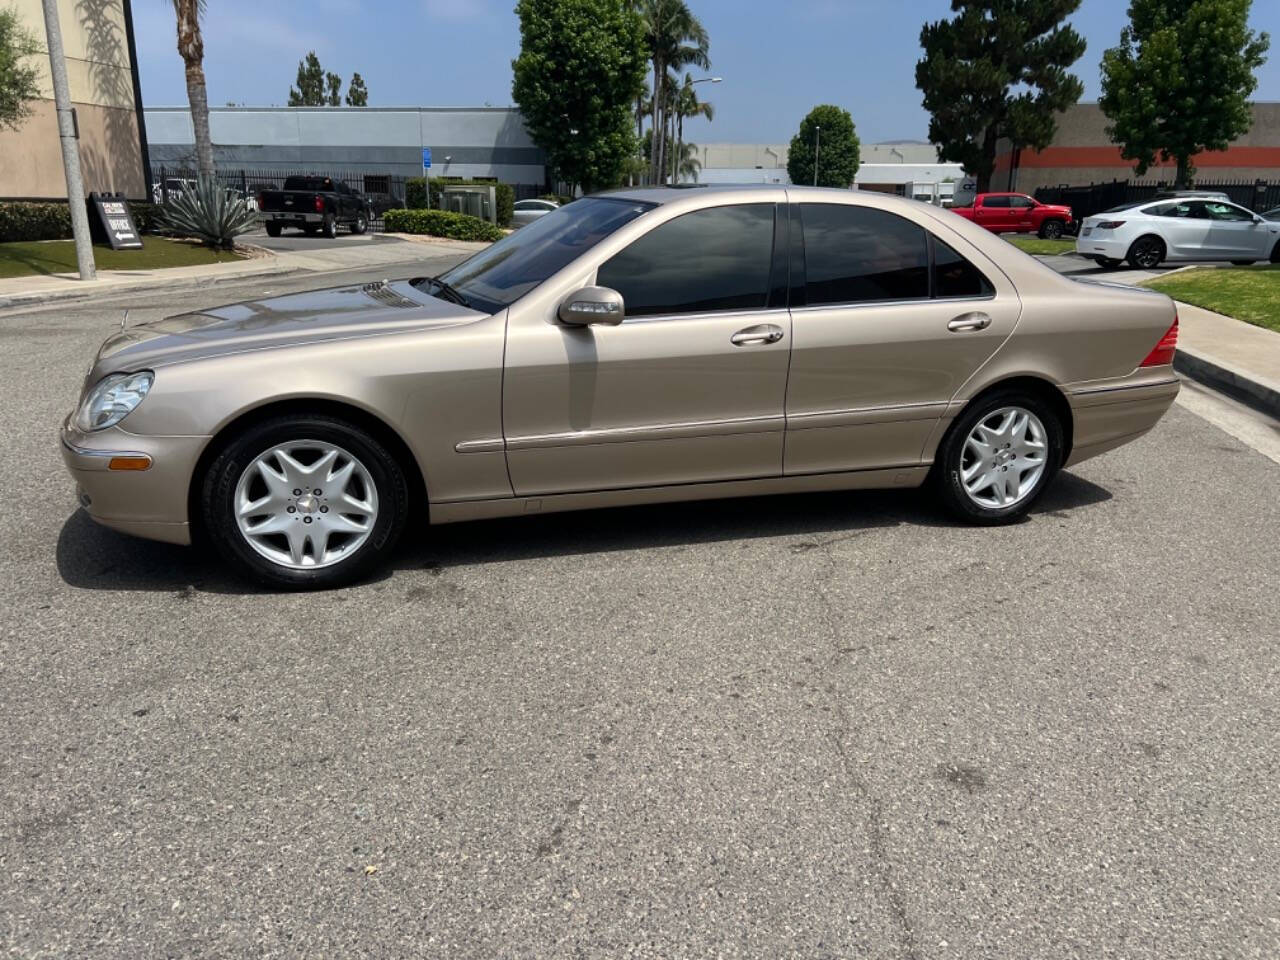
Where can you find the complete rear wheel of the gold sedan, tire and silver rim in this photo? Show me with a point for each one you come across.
(998, 458)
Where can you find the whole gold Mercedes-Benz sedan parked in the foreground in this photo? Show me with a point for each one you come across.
(634, 348)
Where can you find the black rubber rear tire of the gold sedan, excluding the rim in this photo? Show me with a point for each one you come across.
(949, 461)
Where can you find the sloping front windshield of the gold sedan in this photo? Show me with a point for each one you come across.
(506, 272)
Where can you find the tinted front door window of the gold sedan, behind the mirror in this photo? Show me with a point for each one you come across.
(715, 259)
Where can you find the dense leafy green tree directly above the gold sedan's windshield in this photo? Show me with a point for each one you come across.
(579, 71)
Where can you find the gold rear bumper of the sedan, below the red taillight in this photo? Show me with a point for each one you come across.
(1109, 414)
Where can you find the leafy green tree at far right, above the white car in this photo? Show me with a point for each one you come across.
(1181, 80)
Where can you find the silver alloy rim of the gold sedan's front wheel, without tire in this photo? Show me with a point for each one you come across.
(307, 505)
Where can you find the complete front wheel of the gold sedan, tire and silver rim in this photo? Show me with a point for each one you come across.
(305, 502)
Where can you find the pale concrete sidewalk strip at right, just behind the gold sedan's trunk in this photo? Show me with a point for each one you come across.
(1231, 356)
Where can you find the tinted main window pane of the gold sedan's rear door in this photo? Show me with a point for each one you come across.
(858, 254)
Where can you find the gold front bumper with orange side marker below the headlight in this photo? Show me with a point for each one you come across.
(150, 502)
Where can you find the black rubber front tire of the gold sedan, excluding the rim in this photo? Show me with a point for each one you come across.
(218, 501)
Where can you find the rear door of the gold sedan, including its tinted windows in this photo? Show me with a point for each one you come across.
(889, 321)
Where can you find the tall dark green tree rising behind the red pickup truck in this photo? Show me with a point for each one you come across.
(999, 68)
